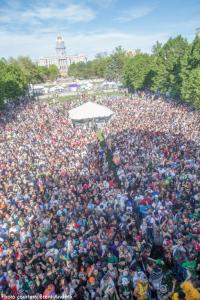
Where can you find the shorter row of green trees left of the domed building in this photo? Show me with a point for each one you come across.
(17, 74)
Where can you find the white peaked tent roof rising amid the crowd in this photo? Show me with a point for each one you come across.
(89, 110)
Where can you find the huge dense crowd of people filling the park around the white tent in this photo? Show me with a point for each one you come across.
(87, 219)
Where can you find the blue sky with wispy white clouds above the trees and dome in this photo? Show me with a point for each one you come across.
(89, 27)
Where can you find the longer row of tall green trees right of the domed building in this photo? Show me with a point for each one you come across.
(173, 68)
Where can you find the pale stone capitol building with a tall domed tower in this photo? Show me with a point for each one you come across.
(61, 59)
